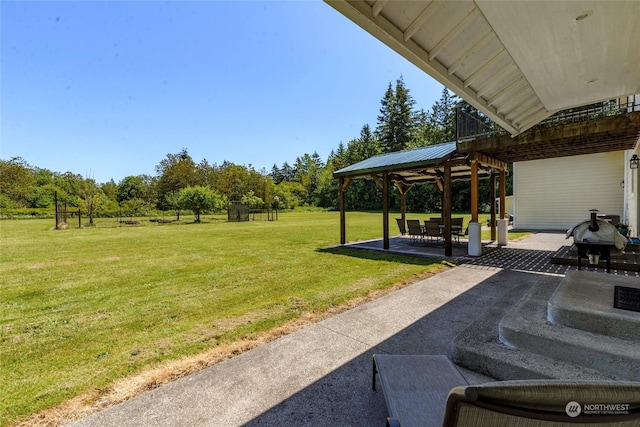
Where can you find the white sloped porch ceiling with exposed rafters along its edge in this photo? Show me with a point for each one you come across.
(518, 62)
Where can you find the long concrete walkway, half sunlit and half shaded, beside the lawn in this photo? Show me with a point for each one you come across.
(321, 375)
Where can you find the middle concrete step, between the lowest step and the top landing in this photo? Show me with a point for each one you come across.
(527, 328)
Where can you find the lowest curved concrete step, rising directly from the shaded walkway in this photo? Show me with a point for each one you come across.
(479, 348)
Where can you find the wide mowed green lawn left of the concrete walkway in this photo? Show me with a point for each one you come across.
(81, 308)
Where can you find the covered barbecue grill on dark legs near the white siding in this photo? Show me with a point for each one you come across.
(596, 240)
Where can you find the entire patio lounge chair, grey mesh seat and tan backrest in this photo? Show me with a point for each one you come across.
(429, 391)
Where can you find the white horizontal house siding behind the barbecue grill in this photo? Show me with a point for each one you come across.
(555, 194)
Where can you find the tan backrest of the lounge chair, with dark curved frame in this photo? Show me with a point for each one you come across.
(544, 403)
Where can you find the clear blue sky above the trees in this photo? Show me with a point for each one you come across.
(106, 89)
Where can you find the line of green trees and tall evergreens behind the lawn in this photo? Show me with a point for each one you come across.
(181, 183)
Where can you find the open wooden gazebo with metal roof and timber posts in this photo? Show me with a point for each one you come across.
(439, 164)
